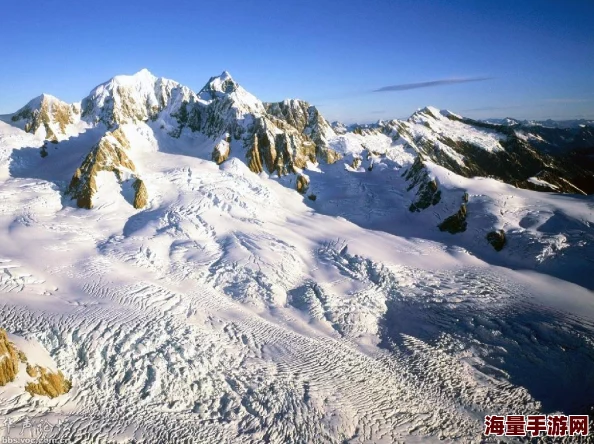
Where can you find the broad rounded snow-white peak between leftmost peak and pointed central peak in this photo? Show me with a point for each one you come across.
(134, 98)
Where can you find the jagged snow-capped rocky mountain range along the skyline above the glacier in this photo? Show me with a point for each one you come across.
(282, 137)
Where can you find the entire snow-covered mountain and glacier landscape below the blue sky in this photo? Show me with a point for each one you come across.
(209, 267)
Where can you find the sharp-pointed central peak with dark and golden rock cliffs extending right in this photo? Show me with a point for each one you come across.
(277, 138)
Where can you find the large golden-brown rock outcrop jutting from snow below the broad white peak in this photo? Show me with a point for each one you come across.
(108, 155)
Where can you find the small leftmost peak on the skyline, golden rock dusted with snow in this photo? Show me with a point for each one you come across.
(47, 116)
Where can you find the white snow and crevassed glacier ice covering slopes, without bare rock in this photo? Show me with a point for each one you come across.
(233, 309)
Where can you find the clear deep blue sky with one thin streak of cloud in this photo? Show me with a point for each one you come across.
(521, 58)
